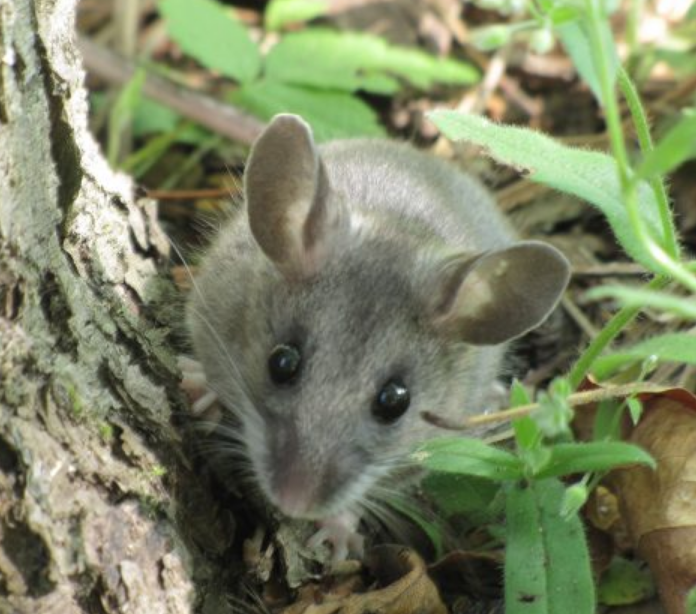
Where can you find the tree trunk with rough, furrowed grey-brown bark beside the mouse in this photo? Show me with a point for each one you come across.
(92, 486)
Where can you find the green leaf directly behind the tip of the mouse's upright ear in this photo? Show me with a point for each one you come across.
(332, 115)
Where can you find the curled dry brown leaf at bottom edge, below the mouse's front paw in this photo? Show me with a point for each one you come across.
(404, 588)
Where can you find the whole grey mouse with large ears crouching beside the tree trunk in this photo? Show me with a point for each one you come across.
(360, 283)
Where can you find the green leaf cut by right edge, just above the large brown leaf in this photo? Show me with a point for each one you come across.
(671, 347)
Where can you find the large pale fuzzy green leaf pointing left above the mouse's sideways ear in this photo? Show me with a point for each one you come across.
(589, 175)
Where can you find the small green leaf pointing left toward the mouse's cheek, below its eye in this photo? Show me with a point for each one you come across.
(468, 456)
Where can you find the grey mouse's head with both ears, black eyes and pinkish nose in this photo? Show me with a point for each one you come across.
(368, 325)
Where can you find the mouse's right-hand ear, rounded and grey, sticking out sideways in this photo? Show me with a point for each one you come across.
(499, 295)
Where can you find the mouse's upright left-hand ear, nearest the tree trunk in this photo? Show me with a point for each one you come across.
(287, 194)
